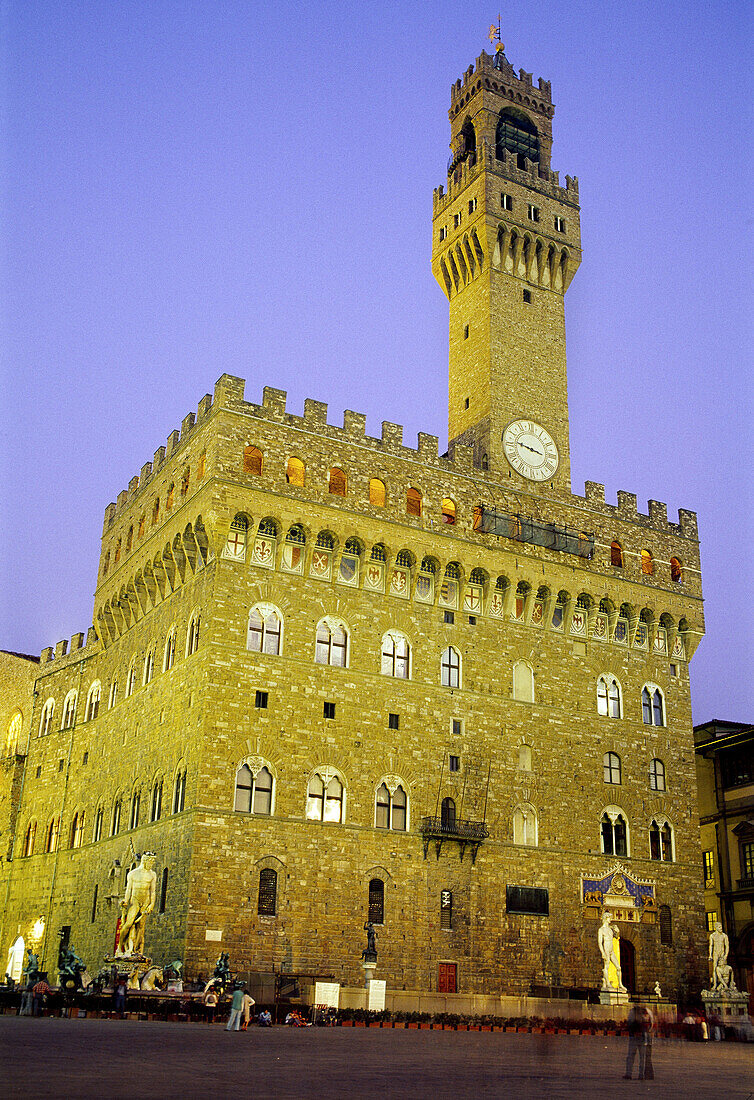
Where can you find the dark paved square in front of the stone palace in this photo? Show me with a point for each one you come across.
(114, 1059)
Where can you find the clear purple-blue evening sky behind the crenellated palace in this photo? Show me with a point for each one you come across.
(194, 188)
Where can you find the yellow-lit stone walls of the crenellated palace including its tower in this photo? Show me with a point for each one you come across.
(522, 624)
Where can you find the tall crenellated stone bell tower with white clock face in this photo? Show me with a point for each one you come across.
(506, 246)
